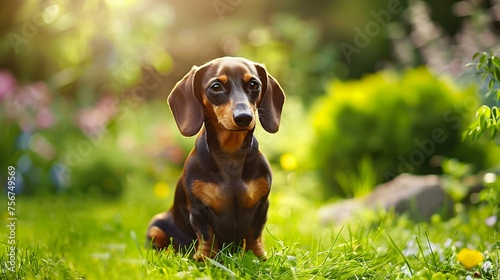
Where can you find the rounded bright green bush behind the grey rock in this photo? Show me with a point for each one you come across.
(402, 123)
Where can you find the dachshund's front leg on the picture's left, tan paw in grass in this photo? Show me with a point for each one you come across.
(207, 244)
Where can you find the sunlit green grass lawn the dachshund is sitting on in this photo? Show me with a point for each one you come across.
(64, 237)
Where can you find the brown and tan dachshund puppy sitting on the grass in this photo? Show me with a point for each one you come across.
(222, 195)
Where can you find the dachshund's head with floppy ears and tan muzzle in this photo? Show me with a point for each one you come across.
(230, 91)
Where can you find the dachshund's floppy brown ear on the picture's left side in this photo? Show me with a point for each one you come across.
(186, 107)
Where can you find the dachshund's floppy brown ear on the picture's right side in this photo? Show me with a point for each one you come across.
(271, 102)
